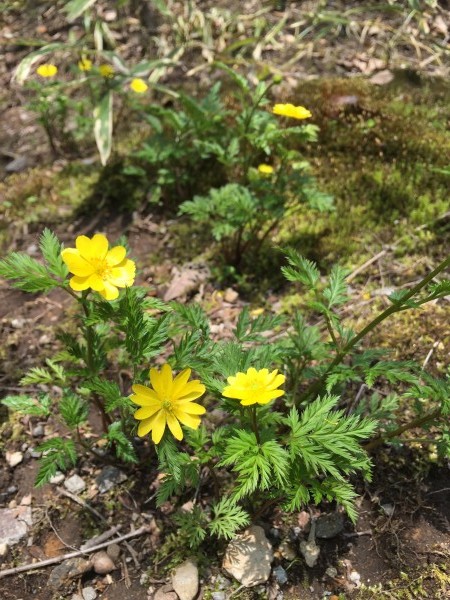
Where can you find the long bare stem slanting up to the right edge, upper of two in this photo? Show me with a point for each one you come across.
(316, 387)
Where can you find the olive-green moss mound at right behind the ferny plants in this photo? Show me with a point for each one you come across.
(377, 151)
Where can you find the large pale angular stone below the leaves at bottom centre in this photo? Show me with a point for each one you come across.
(248, 557)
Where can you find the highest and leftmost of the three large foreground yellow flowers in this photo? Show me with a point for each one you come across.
(95, 266)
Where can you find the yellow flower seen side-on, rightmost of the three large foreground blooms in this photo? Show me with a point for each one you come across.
(254, 386)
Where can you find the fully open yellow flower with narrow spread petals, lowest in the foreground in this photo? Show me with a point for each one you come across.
(168, 402)
